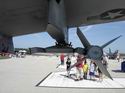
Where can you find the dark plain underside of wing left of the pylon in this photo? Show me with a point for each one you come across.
(19, 17)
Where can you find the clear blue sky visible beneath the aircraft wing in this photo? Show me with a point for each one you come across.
(96, 35)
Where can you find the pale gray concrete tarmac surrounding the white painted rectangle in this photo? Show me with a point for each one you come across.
(22, 75)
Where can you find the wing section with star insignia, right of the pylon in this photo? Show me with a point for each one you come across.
(88, 12)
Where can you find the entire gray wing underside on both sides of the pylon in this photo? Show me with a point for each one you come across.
(19, 17)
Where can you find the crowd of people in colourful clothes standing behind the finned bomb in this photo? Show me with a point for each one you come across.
(84, 69)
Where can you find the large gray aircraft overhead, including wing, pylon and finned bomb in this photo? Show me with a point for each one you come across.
(20, 17)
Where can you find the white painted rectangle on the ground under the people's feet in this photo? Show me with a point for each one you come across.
(59, 80)
